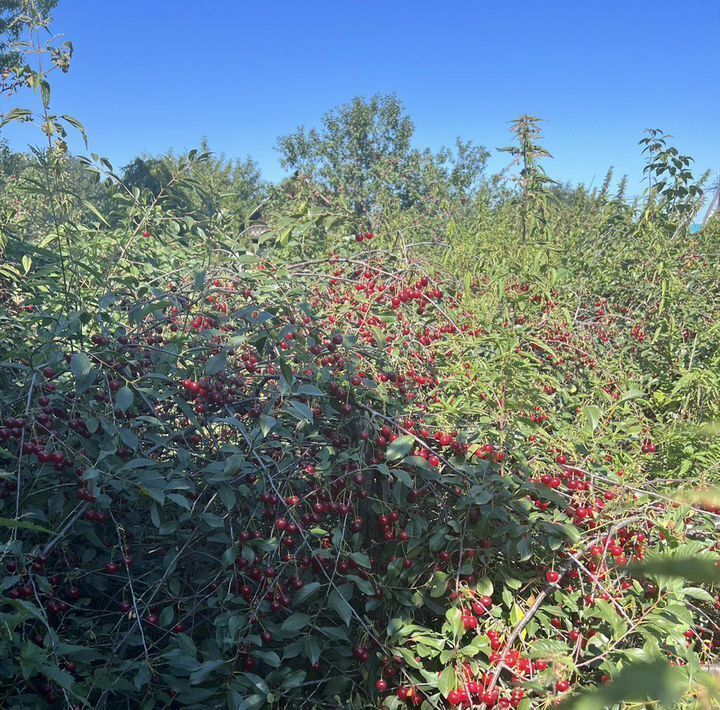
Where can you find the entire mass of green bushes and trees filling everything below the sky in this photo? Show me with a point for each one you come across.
(434, 439)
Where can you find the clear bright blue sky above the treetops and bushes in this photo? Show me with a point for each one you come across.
(153, 74)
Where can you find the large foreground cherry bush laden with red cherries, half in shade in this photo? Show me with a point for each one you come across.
(257, 484)
